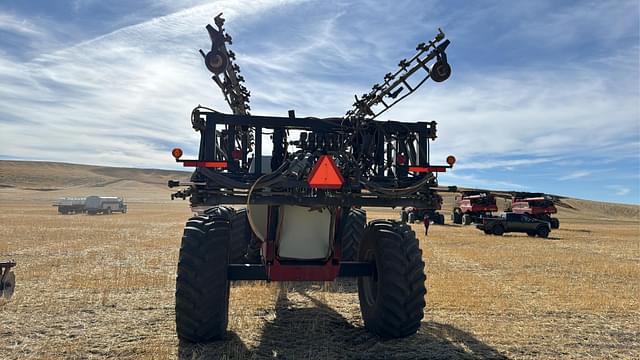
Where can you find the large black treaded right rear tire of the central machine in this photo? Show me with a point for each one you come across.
(392, 302)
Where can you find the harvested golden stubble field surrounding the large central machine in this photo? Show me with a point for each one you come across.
(102, 286)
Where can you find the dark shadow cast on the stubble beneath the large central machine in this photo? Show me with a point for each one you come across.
(319, 332)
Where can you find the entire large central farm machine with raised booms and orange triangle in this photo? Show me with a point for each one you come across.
(283, 198)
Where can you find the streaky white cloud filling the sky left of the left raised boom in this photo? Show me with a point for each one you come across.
(121, 99)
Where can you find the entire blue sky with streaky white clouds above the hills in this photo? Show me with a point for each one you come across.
(544, 95)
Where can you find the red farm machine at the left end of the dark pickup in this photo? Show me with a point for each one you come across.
(472, 206)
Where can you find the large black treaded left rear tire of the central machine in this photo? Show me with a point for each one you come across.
(202, 286)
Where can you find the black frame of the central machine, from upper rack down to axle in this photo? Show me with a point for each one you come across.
(397, 156)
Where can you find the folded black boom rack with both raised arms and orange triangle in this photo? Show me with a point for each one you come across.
(379, 163)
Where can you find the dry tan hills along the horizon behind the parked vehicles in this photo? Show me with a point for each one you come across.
(49, 180)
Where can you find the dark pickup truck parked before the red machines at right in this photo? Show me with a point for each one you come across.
(512, 222)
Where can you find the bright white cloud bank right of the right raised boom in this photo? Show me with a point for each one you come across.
(562, 111)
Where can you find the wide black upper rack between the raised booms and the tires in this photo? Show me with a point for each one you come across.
(223, 179)
